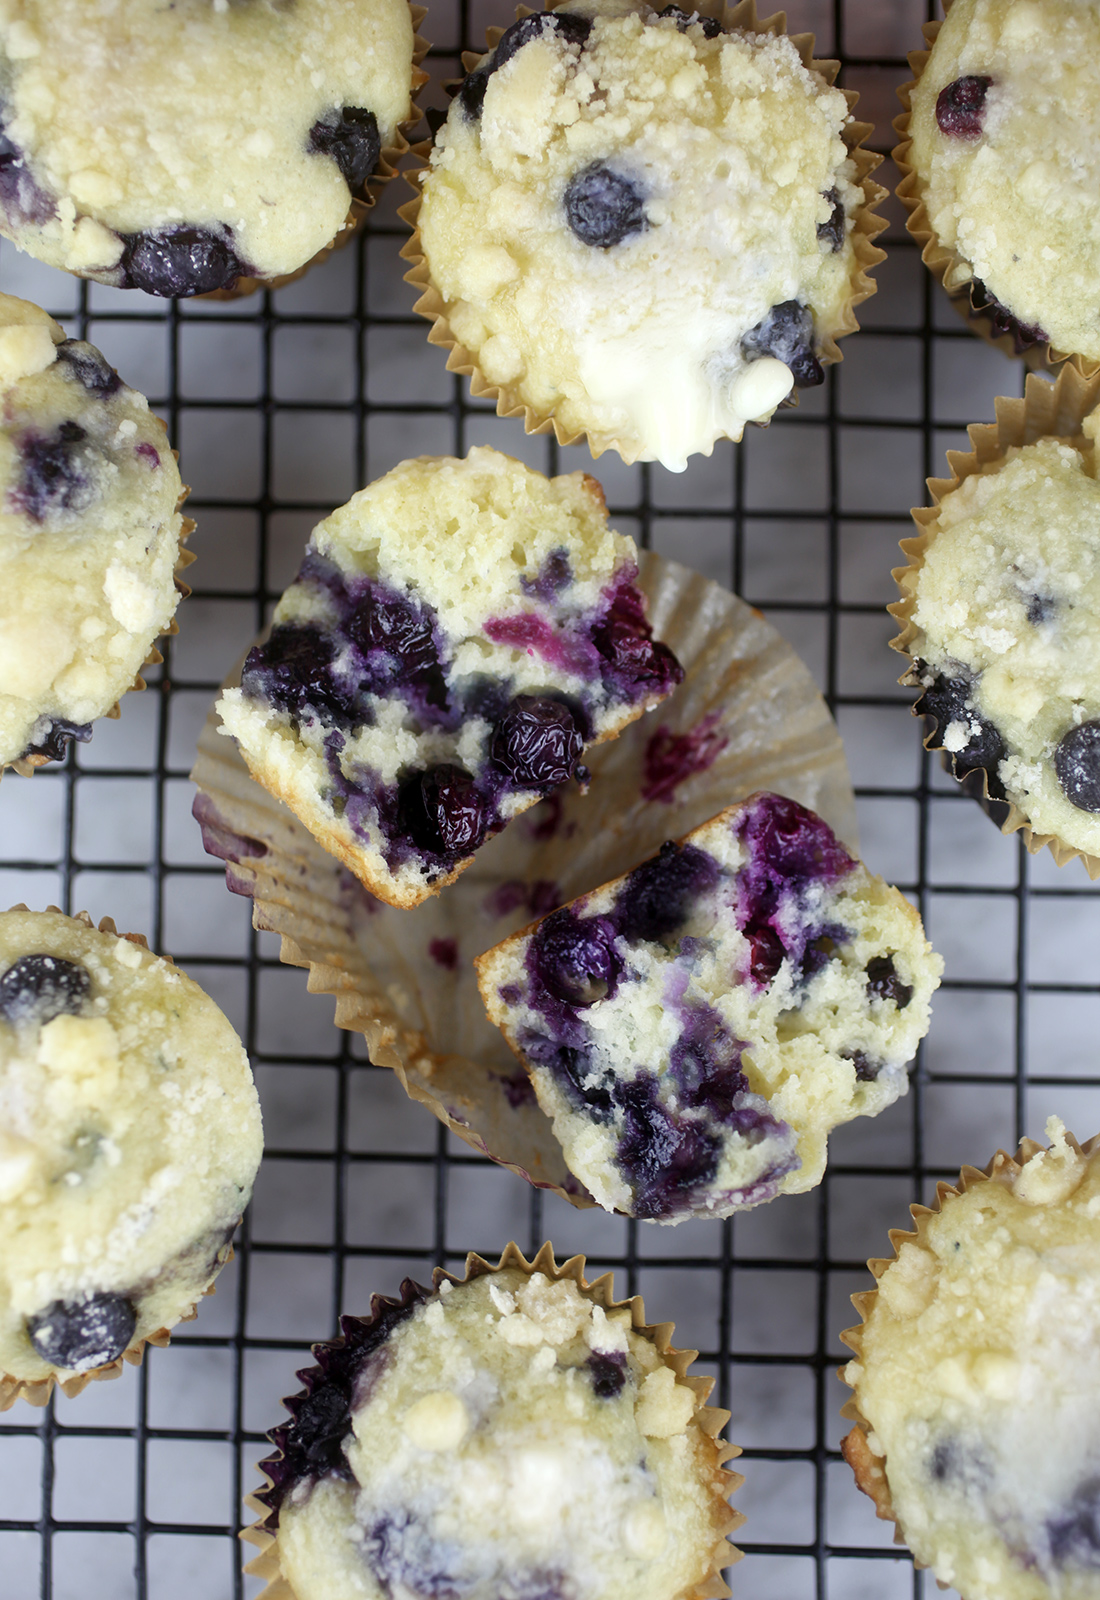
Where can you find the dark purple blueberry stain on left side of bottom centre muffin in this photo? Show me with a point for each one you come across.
(311, 1446)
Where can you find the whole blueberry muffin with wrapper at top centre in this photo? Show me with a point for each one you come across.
(645, 228)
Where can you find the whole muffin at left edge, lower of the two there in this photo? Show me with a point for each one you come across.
(130, 1138)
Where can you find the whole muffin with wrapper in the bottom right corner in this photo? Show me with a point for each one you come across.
(978, 1378)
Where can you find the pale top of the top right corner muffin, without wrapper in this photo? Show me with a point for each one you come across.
(1006, 148)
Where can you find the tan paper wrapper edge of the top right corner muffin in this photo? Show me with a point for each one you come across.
(946, 265)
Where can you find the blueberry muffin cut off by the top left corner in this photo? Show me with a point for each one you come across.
(181, 148)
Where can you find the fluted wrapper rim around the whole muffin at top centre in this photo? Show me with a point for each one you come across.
(866, 231)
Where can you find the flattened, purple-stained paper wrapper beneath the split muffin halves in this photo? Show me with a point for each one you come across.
(751, 716)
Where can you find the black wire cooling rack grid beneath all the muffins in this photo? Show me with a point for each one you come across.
(282, 406)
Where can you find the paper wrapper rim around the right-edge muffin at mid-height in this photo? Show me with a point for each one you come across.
(1046, 410)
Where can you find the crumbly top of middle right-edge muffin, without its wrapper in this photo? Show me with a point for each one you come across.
(1006, 615)
